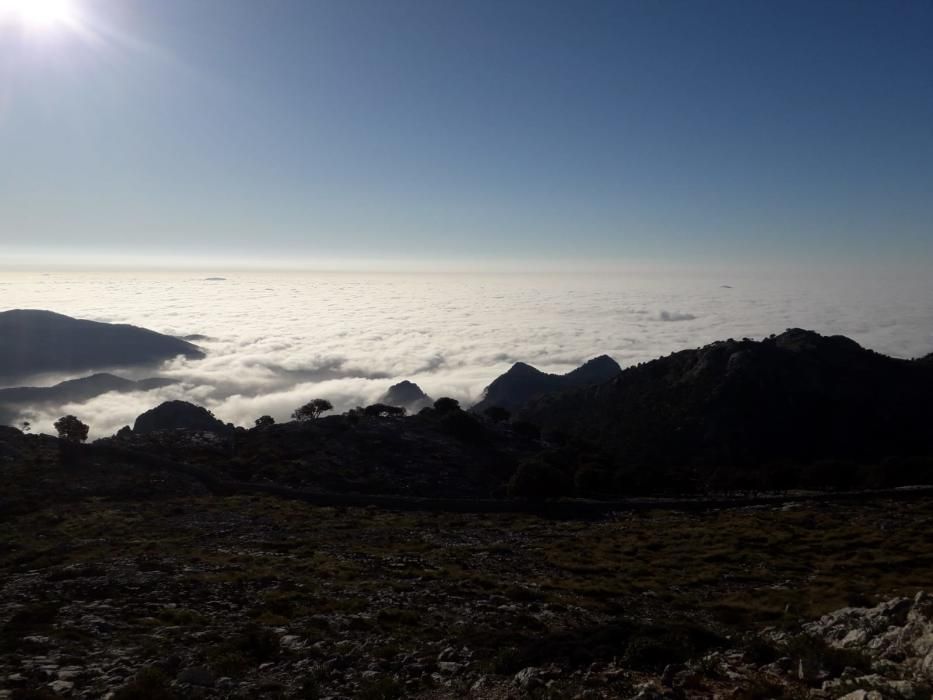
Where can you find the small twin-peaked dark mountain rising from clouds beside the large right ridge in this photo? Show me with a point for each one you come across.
(523, 382)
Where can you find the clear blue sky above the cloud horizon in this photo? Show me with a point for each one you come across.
(592, 131)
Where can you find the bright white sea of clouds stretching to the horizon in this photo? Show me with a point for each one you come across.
(275, 340)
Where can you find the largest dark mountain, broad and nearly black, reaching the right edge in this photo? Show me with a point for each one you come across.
(796, 397)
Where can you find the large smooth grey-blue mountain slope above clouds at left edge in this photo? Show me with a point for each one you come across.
(42, 341)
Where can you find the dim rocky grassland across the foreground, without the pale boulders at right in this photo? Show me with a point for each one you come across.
(192, 595)
